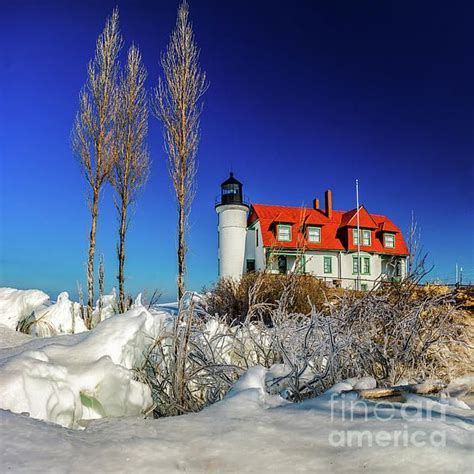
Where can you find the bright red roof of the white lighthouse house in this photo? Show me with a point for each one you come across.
(335, 232)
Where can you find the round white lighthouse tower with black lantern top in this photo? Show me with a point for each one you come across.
(232, 229)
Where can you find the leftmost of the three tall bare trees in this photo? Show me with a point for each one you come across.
(93, 131)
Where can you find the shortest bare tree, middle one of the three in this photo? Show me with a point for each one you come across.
(131, 169)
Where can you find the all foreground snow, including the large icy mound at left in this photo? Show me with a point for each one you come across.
(84, 381)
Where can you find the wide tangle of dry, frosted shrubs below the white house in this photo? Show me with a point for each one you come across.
(397, 333)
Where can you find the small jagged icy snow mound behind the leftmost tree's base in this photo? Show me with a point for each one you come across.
(63, 317)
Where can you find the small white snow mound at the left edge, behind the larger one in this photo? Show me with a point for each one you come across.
(18, 304)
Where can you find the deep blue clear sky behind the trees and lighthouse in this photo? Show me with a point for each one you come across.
(303, 97)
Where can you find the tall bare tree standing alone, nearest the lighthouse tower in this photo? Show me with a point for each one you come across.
(177, 105)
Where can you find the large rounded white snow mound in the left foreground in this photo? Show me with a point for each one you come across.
(69, 379)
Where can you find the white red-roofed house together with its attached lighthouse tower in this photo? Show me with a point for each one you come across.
(321, 242)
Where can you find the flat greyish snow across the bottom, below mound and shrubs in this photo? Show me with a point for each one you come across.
(246, 432)
